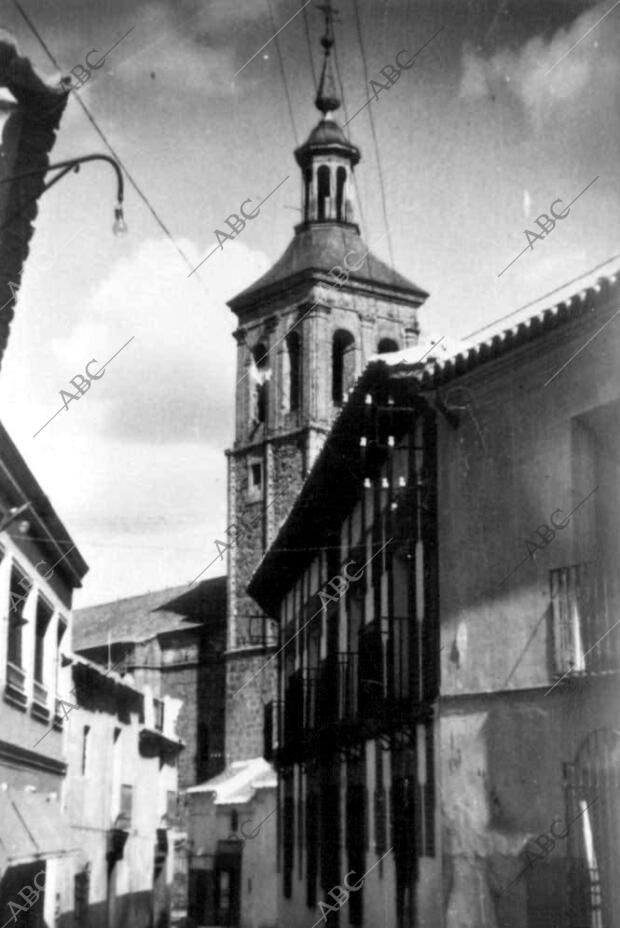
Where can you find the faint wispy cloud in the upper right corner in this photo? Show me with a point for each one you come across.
(543, 74)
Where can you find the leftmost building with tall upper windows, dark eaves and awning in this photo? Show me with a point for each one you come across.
(40, 567)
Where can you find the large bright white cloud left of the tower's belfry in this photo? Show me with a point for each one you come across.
(176, 380)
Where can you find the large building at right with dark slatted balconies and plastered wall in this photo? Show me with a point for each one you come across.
(446, 724)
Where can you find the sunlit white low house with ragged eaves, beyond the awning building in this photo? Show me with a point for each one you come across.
(121, 799)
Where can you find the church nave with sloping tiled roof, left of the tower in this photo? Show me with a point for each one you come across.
(173, 642)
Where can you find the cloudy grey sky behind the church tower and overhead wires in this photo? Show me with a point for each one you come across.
(512, 106)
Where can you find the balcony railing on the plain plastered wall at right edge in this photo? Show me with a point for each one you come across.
(585, 605)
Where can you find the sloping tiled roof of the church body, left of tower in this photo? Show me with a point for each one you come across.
(140, 618)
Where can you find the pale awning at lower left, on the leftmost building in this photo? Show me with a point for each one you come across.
(32, 827)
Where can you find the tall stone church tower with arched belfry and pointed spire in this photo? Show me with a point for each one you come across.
(307, 329)
